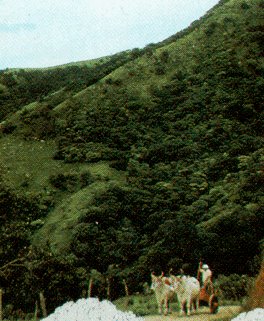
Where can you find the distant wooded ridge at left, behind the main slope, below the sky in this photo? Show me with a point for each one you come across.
(23, 86)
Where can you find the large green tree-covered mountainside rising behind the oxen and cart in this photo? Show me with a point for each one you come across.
(178, 131)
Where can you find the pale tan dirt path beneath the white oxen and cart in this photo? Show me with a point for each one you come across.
(202, 315)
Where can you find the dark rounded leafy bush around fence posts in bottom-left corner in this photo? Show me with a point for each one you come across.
(39, 271)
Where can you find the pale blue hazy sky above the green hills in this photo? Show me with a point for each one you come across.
(44, 33)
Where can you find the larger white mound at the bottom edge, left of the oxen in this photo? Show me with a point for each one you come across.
(90, 309)
